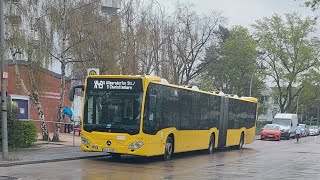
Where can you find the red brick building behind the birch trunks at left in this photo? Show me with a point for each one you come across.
(49, 83)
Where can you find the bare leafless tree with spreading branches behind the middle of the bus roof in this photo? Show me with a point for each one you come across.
(194, 34)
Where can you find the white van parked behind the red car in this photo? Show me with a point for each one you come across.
(288, 122)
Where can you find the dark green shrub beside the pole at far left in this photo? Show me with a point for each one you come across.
(21, 134)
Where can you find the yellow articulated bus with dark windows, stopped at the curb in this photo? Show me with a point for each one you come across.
(146, 116)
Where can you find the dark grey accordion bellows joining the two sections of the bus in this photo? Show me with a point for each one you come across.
(223, 121)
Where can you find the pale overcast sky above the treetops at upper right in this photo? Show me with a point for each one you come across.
(245, 12)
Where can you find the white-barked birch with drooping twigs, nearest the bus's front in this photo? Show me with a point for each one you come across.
(70, 22)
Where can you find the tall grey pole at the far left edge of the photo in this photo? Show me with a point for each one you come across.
(4, 76)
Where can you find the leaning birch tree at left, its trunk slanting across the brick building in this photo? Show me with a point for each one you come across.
(27, 16)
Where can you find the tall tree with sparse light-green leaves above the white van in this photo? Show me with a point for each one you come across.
(289, 53)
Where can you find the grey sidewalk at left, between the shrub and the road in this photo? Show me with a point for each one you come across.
(49, 152)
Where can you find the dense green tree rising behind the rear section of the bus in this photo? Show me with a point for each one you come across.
(235, 63)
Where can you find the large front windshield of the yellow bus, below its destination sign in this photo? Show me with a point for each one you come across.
(116, 111)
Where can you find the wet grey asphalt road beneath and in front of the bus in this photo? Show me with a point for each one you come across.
(285, 159)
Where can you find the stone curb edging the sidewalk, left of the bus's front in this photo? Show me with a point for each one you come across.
(48, 160)
